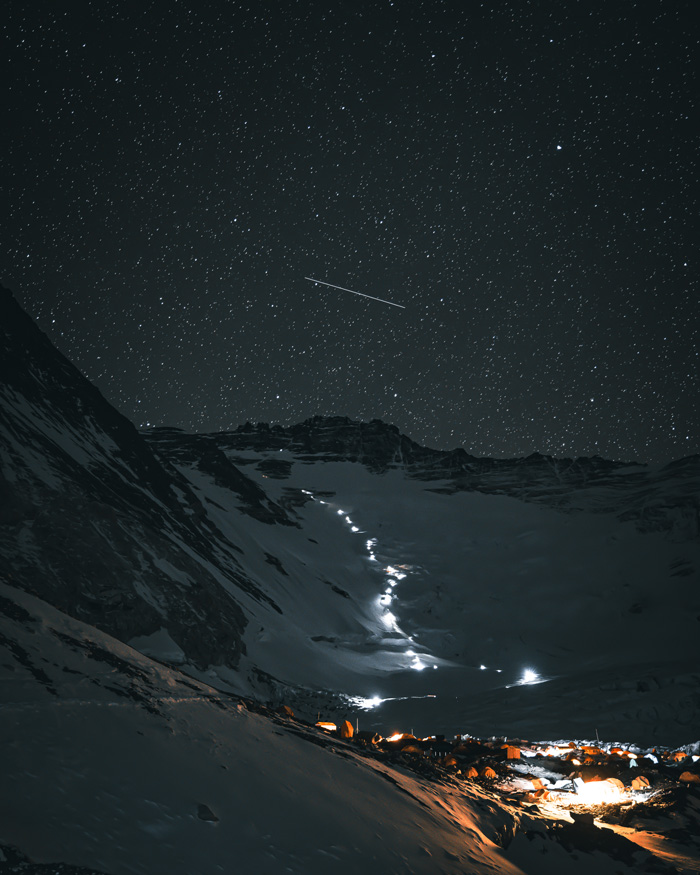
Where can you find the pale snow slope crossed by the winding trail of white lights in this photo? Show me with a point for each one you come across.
(586, 600)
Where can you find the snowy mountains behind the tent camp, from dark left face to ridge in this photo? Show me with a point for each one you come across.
(342, 557)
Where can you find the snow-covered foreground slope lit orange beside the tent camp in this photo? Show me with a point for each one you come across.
(115, 763)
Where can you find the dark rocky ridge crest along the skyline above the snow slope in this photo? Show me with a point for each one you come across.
(664, 498)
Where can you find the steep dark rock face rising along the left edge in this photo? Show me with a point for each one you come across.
(97, 524)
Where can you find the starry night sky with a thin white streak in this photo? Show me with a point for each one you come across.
(521, 176)
